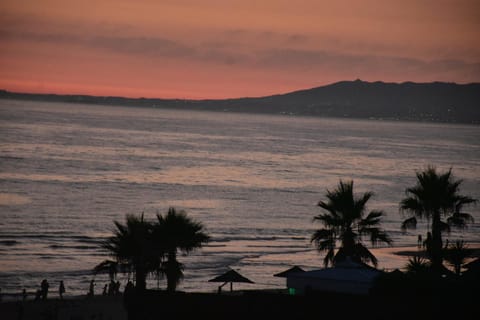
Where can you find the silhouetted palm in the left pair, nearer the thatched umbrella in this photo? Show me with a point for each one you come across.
(176, 232)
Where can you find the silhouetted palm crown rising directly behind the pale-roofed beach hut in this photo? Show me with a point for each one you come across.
(344, 220)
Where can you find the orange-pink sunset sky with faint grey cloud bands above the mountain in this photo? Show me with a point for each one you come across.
(190, 49)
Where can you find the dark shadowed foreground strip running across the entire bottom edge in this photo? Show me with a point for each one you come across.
(261, 304)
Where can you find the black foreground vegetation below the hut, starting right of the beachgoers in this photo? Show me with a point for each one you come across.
(450, 302)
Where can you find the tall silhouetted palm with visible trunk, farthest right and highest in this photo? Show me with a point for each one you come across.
(436, 195)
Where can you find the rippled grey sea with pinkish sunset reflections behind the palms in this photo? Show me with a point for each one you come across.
(67, 171)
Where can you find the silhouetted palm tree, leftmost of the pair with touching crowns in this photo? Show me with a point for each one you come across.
(132, 247)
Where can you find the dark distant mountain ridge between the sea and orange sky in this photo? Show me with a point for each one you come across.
(436, 101)
